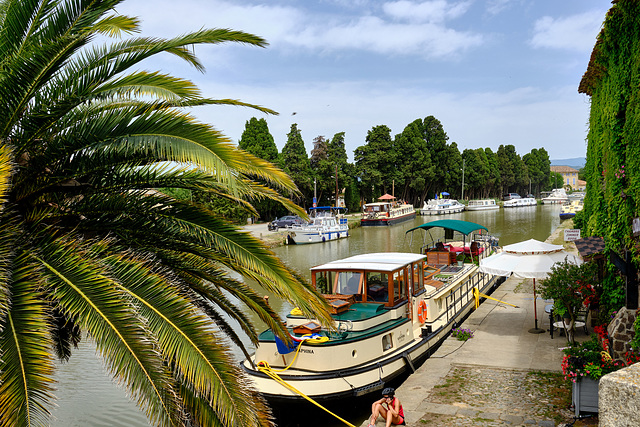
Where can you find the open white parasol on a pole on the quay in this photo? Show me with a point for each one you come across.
(530, 259)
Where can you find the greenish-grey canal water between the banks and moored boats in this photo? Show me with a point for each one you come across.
(88, 397)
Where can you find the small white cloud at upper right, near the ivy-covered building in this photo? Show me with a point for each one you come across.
(577, 32)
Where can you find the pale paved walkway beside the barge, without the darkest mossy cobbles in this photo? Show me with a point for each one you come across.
(502, 343)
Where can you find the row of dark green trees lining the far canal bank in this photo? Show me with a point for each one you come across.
(414, 165)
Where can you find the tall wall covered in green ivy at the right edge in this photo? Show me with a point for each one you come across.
(612, 80)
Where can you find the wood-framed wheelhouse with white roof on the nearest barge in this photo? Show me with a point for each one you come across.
(375, 278)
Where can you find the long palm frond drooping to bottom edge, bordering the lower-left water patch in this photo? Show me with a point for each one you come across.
(82, 292)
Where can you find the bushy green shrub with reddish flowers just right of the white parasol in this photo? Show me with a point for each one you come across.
(571, 287)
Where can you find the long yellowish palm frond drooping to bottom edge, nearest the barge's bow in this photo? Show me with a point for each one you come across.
(186, 340)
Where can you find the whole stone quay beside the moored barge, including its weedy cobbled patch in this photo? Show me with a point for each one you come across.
(501, 375)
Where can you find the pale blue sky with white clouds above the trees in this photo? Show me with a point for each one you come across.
(493, 72)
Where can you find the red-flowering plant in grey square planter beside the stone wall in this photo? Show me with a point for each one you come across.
(585, 364)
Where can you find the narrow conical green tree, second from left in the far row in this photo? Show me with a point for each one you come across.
(295, 162)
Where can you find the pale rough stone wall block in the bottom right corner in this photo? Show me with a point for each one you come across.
(619, 398)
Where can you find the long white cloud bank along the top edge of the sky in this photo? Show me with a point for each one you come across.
(403, 28)
